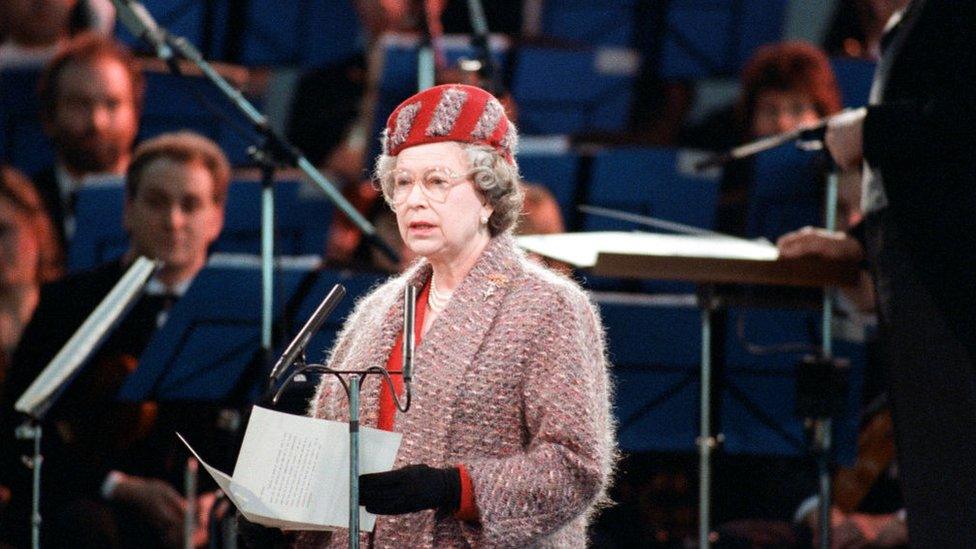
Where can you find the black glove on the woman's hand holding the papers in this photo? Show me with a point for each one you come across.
(410, 489)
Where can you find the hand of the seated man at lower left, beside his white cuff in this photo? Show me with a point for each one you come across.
(158, 502)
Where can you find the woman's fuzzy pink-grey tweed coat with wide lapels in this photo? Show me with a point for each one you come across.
(511, 381)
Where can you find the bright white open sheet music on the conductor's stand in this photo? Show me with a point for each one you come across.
(581, 249)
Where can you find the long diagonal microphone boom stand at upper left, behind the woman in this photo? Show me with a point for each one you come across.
(272, 150)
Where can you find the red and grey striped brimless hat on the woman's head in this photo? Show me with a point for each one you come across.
(451, 112)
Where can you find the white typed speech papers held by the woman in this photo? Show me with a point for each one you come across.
(292, 472)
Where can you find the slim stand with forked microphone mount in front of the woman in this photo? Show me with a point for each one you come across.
(352, 389)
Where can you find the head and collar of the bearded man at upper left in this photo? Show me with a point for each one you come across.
(91, 96)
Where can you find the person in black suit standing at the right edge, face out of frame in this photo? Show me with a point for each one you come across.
(916, 144)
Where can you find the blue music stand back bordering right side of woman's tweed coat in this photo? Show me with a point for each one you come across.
(655, 352)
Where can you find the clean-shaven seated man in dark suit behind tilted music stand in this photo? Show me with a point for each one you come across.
(110, 468)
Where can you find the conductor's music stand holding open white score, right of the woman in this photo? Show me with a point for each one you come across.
(707, 260)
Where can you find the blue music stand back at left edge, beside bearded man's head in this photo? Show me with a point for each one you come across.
(22, 140)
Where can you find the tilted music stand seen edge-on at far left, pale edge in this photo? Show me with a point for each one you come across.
(45, 390)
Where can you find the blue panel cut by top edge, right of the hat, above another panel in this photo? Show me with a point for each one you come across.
(590, 22)
